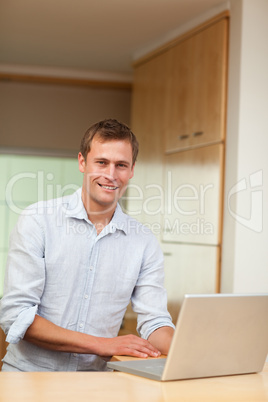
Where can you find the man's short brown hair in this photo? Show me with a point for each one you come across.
(108, 130)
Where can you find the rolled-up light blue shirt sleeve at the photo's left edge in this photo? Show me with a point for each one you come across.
(24, 277)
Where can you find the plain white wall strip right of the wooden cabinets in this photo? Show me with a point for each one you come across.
(245, 239)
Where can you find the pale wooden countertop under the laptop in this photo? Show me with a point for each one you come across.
(114, 386)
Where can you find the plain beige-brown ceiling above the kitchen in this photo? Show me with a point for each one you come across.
(96, 35)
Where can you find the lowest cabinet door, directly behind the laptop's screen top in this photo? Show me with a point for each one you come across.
(189, 269)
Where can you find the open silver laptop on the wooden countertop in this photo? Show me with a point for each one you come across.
(216, 335)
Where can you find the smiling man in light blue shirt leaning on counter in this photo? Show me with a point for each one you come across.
(76, 262)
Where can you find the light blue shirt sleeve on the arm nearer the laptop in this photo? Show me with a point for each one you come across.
(149, 299)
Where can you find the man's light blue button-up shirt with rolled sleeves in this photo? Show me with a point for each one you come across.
(59, 268)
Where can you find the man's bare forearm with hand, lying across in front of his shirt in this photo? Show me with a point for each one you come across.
(47, 335)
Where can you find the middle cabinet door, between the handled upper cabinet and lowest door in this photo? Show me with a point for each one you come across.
(193, 194)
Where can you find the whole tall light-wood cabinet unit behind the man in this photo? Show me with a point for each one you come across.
(178, 115)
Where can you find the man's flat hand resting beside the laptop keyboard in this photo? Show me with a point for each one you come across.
(127, 345)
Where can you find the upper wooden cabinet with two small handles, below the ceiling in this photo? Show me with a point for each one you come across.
(196, 89)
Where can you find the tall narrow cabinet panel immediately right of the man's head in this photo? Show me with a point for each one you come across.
(145, 190)
